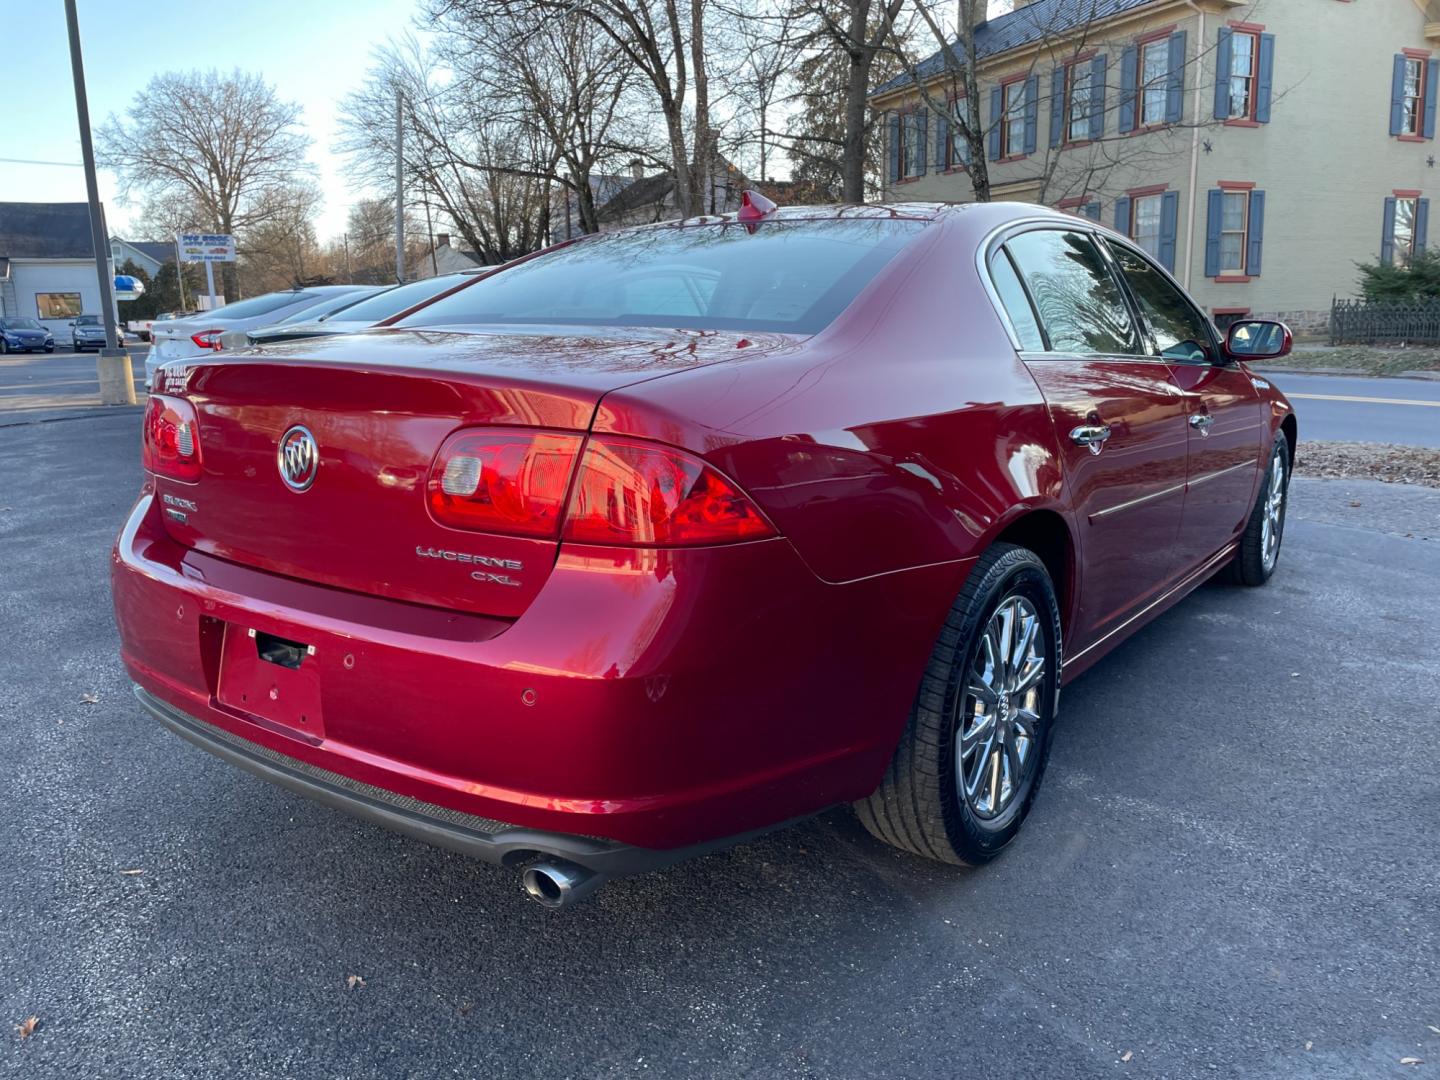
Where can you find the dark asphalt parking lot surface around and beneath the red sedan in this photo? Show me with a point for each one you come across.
(1232, 869)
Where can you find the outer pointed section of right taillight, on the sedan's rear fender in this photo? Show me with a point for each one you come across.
(639, 495)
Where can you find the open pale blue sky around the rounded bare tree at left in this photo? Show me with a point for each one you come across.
(313, 51)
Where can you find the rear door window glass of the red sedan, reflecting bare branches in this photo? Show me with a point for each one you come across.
(1079, 300)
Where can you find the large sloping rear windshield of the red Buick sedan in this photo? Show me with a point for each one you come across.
(790, 277)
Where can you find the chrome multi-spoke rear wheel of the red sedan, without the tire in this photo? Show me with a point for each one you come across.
(997, 731)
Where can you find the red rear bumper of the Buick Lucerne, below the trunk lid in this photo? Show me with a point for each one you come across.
(644, 701)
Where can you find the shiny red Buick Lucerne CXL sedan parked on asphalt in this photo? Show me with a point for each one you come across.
(663, 538)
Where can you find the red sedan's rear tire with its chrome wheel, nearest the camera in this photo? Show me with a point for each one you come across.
(973, 755)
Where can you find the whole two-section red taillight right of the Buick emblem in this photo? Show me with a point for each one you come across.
(629, 493)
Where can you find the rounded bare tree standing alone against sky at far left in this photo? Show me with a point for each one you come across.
(225, 143)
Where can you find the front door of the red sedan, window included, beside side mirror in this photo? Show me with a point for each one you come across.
(1225, 414)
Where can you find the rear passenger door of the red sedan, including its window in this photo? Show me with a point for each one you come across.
(1118, 413)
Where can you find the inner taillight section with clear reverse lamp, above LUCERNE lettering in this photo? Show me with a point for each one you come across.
(503, 482)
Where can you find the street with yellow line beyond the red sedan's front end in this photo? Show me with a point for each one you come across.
(1359, 410)
